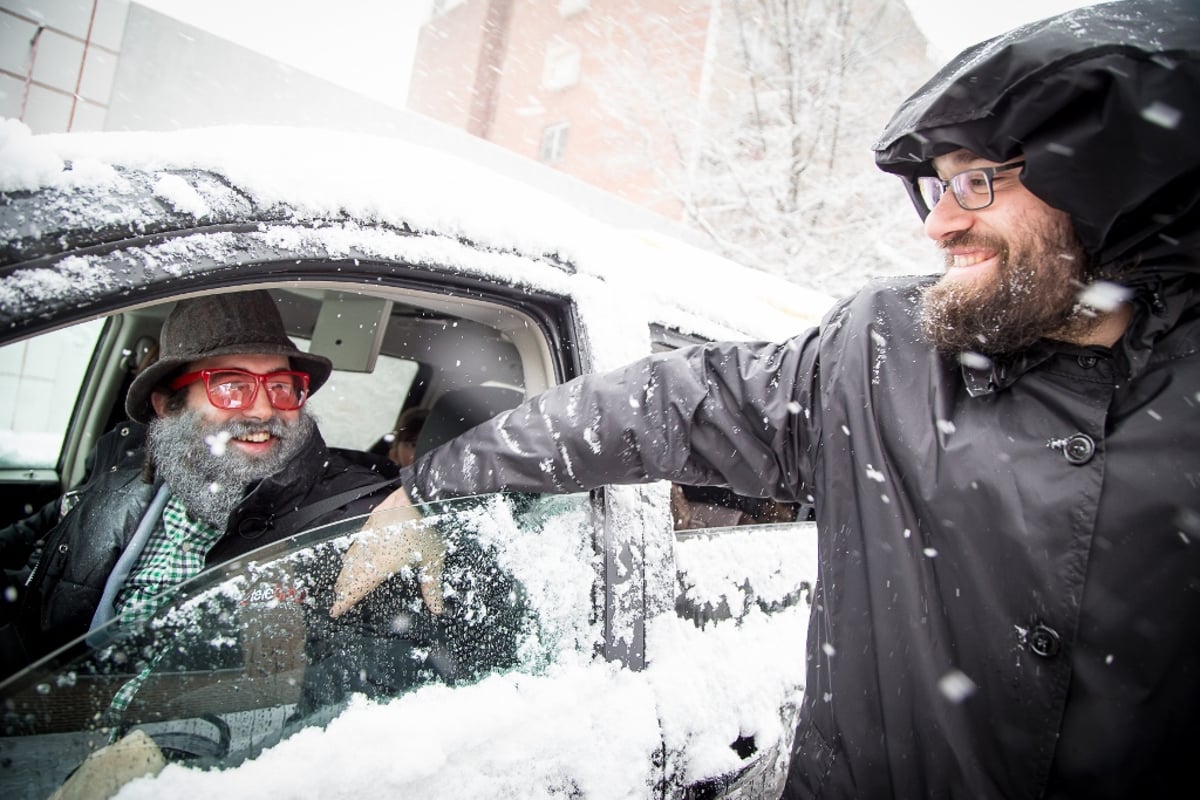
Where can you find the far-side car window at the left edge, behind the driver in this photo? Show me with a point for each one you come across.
(40, 381)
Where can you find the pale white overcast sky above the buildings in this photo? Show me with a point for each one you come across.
(368, 45)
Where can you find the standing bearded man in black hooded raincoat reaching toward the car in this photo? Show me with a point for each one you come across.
(1005, 461)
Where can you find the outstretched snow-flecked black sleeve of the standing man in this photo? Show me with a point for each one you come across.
(722, 414)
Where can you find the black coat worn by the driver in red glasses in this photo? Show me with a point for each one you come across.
(81, 552)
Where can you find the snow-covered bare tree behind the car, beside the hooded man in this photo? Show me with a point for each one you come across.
(767, 149)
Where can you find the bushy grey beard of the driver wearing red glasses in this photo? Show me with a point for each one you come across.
(209, 479)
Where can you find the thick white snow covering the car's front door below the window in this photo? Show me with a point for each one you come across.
(507, 737)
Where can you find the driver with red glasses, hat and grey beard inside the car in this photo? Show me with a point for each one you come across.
(231, 461)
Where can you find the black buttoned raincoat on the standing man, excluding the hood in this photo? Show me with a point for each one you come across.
(1009, 600)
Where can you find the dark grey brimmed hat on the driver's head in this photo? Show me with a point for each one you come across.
(244, 323)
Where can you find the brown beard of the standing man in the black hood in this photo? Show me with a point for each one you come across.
(1035, 296)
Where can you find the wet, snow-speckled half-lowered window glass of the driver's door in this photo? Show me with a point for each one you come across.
(247, 654)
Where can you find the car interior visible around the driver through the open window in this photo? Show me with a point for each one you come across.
(392, 351)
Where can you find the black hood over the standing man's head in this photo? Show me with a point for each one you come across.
(1105, 105)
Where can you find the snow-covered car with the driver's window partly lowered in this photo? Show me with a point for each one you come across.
(628, 642)
